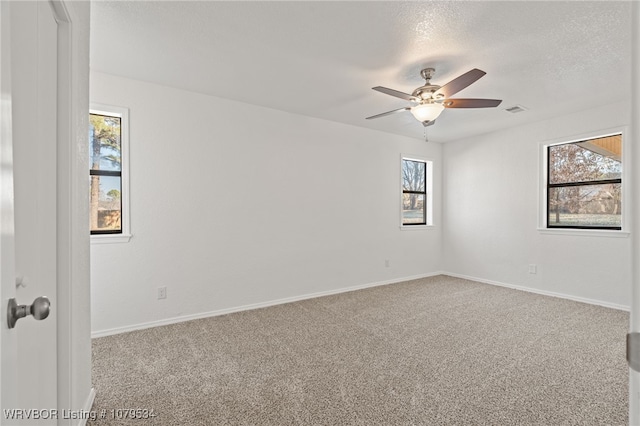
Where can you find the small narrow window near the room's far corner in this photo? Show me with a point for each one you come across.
(416, 192)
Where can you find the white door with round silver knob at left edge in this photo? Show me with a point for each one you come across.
(29, 351)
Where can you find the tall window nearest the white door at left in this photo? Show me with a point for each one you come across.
(107, 158)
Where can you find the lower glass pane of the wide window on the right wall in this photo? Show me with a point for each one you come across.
(589, 205)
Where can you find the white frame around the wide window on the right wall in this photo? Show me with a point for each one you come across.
(544, 186)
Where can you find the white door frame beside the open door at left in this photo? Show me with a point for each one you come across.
(73, 277)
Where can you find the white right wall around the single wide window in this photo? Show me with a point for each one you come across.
(491, 214)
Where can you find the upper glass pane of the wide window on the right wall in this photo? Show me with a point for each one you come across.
(595, 159)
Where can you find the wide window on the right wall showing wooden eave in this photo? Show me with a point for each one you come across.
(584, 184)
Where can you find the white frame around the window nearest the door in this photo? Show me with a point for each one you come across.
(125, 213)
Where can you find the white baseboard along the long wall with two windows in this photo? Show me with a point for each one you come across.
(174, 320)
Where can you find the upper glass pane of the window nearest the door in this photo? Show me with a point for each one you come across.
(104, 140)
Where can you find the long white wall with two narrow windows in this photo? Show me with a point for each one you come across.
(234, 204)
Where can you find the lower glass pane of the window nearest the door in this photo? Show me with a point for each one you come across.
(106, 205)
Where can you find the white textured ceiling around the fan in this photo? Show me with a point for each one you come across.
(321, 59)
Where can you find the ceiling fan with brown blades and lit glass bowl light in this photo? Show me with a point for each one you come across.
(429, 100)
